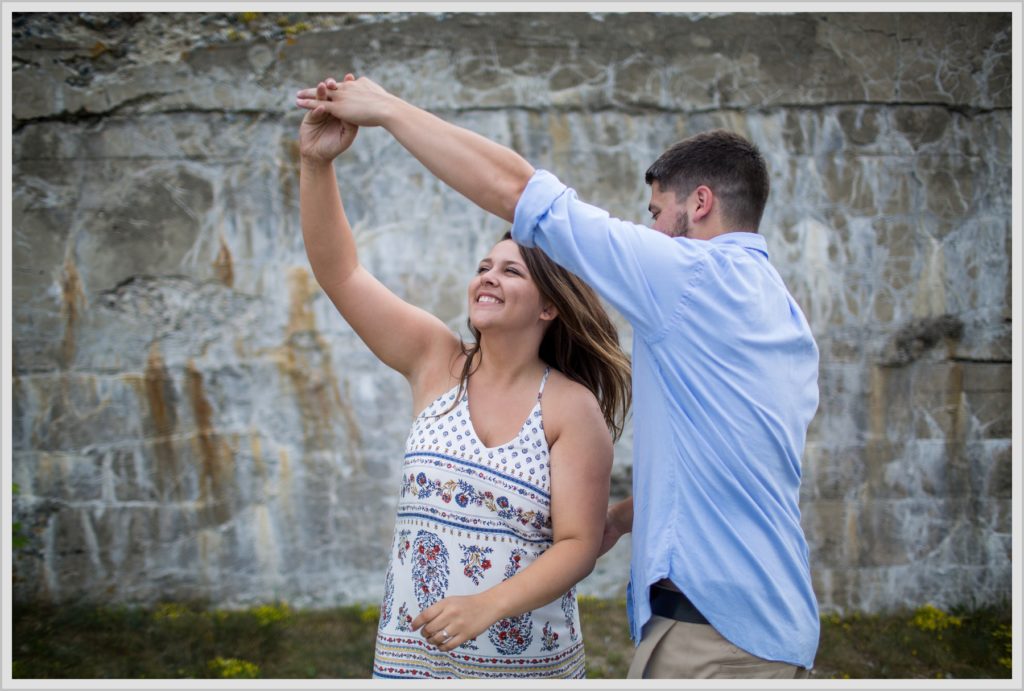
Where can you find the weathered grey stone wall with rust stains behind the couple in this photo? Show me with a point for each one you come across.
(191, 419)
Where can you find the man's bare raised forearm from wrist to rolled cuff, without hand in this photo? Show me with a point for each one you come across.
(490, 175)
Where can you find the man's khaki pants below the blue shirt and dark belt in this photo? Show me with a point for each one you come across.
(673, 650)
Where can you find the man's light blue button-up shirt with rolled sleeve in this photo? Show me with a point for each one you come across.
(724, 387)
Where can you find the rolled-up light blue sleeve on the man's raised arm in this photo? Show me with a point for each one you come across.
(642, 273)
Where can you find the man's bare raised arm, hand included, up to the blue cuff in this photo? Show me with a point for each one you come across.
(489, 175)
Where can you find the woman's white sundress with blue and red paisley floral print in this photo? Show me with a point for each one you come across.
(470, 517)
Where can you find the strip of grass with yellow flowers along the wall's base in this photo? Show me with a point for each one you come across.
(177, 640)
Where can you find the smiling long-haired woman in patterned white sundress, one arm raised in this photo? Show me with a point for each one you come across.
(505, 483)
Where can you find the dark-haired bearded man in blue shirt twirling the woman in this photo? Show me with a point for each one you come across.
(724, 383)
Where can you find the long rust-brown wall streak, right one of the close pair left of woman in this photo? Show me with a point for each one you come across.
(215, 456)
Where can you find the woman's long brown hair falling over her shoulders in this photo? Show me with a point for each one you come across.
(582, 343)
